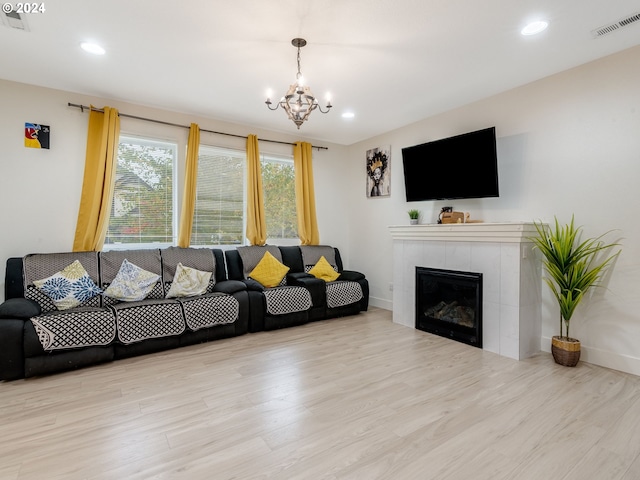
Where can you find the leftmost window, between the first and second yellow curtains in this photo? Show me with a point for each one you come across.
(143, 202)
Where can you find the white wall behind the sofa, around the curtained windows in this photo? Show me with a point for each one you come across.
(40, 189)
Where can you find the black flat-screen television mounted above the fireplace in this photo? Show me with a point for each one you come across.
(464, 166)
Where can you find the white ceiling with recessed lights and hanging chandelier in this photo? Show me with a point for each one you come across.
(390, 62)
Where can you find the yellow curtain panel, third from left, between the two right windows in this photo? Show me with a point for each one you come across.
(256, 223)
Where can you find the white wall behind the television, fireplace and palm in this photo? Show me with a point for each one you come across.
(567, 144)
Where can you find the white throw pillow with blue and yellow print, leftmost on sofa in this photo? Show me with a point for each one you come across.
(69, 287)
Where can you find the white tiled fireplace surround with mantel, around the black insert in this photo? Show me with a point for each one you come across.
(510, 268)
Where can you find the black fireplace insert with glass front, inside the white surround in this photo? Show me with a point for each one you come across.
(449, 304)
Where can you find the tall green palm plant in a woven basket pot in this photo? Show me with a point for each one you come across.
(572, 267)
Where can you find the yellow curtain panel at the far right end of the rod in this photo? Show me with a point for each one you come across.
(305, 195)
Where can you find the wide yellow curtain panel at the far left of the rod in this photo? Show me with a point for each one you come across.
(99, 180)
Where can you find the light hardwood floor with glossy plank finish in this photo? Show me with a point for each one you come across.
(350, 398)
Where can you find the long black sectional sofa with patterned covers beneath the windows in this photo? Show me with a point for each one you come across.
(36, 338)
